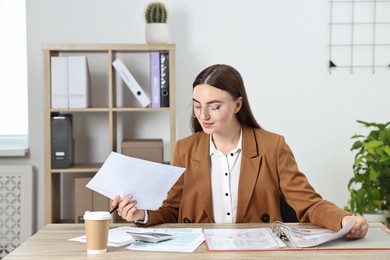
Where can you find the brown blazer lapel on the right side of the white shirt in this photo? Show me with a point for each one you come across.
(250, 168)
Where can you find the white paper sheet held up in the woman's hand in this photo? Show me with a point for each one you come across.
(148, 182)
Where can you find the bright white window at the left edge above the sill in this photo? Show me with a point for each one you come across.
(13, 67)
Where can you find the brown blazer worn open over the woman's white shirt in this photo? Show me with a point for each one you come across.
(267, 168)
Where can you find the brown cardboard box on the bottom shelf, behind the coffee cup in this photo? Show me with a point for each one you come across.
(86, 199)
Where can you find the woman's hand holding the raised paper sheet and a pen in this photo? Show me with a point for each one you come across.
(127, 209)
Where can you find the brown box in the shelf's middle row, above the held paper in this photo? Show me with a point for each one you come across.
(146, 149)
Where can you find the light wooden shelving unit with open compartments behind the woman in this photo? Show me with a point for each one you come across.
(114, 114)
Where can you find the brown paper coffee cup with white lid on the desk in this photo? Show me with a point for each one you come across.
(96, 231)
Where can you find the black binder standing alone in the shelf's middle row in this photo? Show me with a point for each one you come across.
(62, 144)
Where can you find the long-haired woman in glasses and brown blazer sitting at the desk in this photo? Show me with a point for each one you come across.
(235, 170)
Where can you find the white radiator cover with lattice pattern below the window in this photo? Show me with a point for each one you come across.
(16, 204)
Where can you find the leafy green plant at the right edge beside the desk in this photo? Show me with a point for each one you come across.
(370, 185)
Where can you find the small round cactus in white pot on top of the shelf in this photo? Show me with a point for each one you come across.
(156, 17)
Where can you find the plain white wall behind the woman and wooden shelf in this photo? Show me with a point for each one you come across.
(280, 47)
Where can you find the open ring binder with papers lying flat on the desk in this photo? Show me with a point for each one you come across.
(281, 235)
